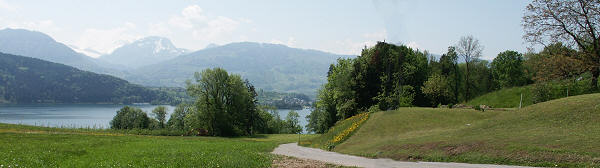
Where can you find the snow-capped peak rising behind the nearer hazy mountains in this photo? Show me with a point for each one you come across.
(146, 51)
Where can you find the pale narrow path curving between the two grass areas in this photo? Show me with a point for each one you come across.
(293, 150)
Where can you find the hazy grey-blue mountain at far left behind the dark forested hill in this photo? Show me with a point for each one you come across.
(39, 45)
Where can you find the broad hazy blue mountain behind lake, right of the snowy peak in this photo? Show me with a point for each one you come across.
(271, 67)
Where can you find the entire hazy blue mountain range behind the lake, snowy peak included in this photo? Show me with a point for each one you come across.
(155, 61)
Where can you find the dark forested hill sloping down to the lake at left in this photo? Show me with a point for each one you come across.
(31, 80)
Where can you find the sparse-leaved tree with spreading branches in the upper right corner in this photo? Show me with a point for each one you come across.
(575, 22)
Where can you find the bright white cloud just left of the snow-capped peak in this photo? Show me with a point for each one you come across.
(106, 40)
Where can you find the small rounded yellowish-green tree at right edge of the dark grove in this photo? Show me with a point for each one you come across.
(437, 90)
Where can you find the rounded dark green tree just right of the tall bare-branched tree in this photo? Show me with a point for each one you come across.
(507, 69)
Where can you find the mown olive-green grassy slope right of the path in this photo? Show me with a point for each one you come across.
(563, 132)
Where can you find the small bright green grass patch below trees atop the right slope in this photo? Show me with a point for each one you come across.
(505, 98)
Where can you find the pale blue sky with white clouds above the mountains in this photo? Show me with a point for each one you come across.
(340, 26)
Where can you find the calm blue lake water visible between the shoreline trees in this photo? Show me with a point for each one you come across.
(83, 115)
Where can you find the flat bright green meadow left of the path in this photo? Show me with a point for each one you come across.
(29, 146)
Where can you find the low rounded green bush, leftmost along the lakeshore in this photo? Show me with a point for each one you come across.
(130, 118)
